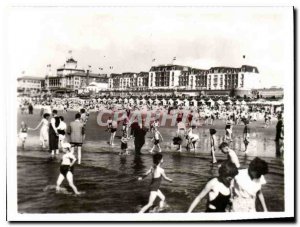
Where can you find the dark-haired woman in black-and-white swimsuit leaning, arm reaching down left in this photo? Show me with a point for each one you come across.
(218, 189)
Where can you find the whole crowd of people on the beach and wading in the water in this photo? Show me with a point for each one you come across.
(235, 189)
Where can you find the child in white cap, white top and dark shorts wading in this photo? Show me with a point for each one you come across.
(66, 168)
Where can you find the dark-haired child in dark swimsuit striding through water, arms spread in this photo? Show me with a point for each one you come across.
(157, 174)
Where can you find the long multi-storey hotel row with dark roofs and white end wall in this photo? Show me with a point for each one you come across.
(167, 78)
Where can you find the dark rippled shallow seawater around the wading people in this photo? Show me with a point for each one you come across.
(110, 181)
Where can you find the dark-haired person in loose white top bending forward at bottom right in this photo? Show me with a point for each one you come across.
(247, 185)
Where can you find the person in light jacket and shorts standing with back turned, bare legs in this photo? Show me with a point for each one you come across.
(76, 132)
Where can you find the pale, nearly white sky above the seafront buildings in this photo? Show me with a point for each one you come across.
(130, 38)
